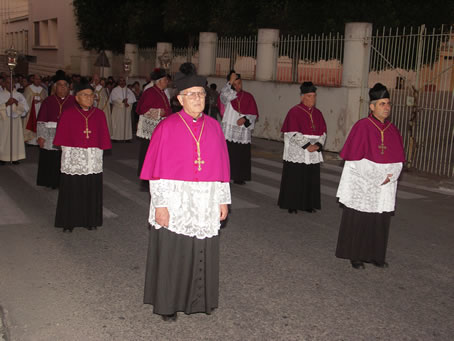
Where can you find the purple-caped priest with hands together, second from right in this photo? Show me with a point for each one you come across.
(304, 136)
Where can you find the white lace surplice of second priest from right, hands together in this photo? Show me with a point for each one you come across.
(293, 148)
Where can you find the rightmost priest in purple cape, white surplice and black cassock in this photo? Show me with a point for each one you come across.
(374, 156)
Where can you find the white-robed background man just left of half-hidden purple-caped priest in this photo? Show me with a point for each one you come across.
(122, 99)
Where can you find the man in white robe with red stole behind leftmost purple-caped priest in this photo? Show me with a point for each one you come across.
(35, 94)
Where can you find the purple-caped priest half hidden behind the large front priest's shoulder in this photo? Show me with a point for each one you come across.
(153, 106)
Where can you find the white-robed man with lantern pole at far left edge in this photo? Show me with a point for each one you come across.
(11, 109)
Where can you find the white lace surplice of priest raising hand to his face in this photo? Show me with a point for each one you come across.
(232, 131)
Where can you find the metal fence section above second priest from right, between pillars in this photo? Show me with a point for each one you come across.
(316, 58)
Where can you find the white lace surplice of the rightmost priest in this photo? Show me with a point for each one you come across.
(361, 186)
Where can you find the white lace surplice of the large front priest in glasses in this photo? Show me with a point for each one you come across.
(193, 206)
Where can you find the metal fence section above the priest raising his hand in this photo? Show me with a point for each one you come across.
(238, 53)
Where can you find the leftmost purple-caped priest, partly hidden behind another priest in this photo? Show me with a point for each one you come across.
(49, 114)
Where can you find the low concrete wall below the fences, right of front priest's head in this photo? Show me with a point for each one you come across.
(275, 99)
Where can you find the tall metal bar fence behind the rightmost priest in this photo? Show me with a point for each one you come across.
(417, 65)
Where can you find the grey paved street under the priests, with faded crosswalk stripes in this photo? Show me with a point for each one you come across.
(279, 278)
